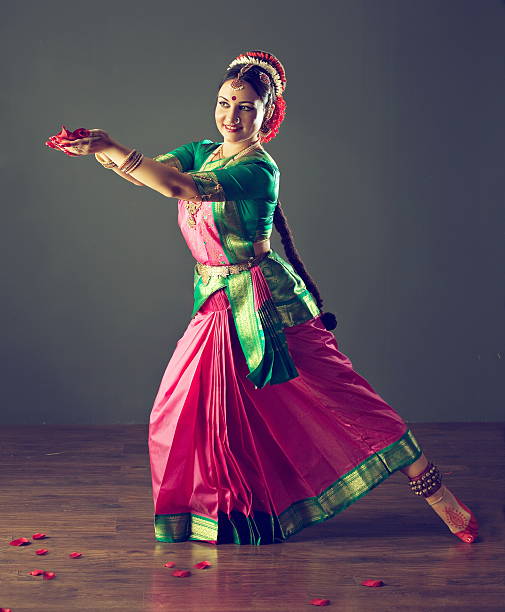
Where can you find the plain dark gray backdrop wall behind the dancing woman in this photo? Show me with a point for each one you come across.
(391, 159)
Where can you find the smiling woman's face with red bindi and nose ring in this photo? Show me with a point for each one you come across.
(241, 109)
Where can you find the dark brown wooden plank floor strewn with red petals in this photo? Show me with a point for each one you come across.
(89, 490)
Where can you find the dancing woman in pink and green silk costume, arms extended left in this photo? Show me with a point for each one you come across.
(261, 426)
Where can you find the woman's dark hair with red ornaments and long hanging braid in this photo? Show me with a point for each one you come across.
(267, 95)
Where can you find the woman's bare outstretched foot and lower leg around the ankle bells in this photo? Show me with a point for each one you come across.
(454, 513)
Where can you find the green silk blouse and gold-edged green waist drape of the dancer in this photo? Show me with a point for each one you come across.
(244, 195)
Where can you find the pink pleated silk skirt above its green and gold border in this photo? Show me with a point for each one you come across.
(218, 444)
